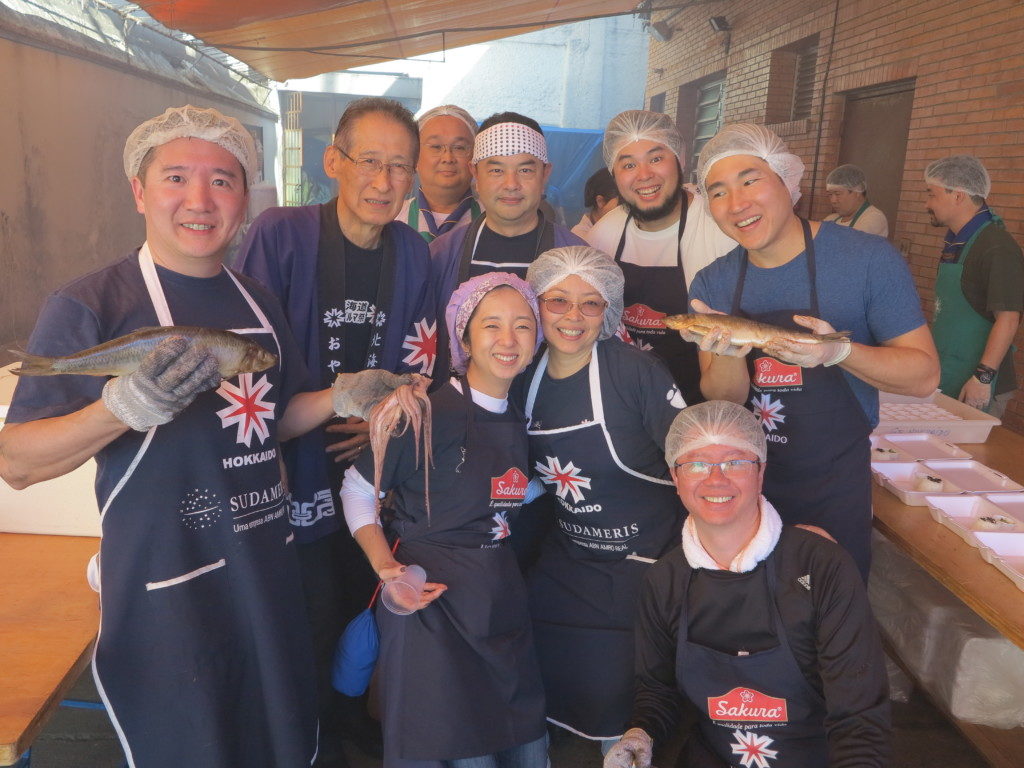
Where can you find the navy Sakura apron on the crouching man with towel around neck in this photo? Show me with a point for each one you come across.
(757, 711)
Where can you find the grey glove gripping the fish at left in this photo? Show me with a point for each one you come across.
(166, 381)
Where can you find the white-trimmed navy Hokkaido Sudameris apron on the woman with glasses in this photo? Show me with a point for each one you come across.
(612, 524)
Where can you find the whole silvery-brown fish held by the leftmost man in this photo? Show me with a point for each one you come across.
(236, 354)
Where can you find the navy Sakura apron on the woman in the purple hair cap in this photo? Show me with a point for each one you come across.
(460, 676)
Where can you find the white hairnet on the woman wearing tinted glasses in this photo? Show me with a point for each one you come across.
(591, 266)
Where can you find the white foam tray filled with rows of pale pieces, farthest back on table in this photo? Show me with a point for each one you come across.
(937, 414)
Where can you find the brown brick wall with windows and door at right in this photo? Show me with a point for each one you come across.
(967, 60)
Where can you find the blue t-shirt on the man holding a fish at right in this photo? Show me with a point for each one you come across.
(864, 287)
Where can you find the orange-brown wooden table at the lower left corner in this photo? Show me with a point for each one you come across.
(49, 622)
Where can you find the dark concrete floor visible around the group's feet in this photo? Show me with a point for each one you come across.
(83, 739)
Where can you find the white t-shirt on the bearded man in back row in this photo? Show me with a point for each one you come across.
(703, 242)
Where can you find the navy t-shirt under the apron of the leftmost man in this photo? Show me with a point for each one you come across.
(112, 303)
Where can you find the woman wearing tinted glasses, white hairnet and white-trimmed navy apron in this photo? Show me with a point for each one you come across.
(599, 411)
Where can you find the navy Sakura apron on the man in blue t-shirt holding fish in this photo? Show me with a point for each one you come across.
(819, 468)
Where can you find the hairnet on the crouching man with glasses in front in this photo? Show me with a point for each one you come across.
(715, 423)
